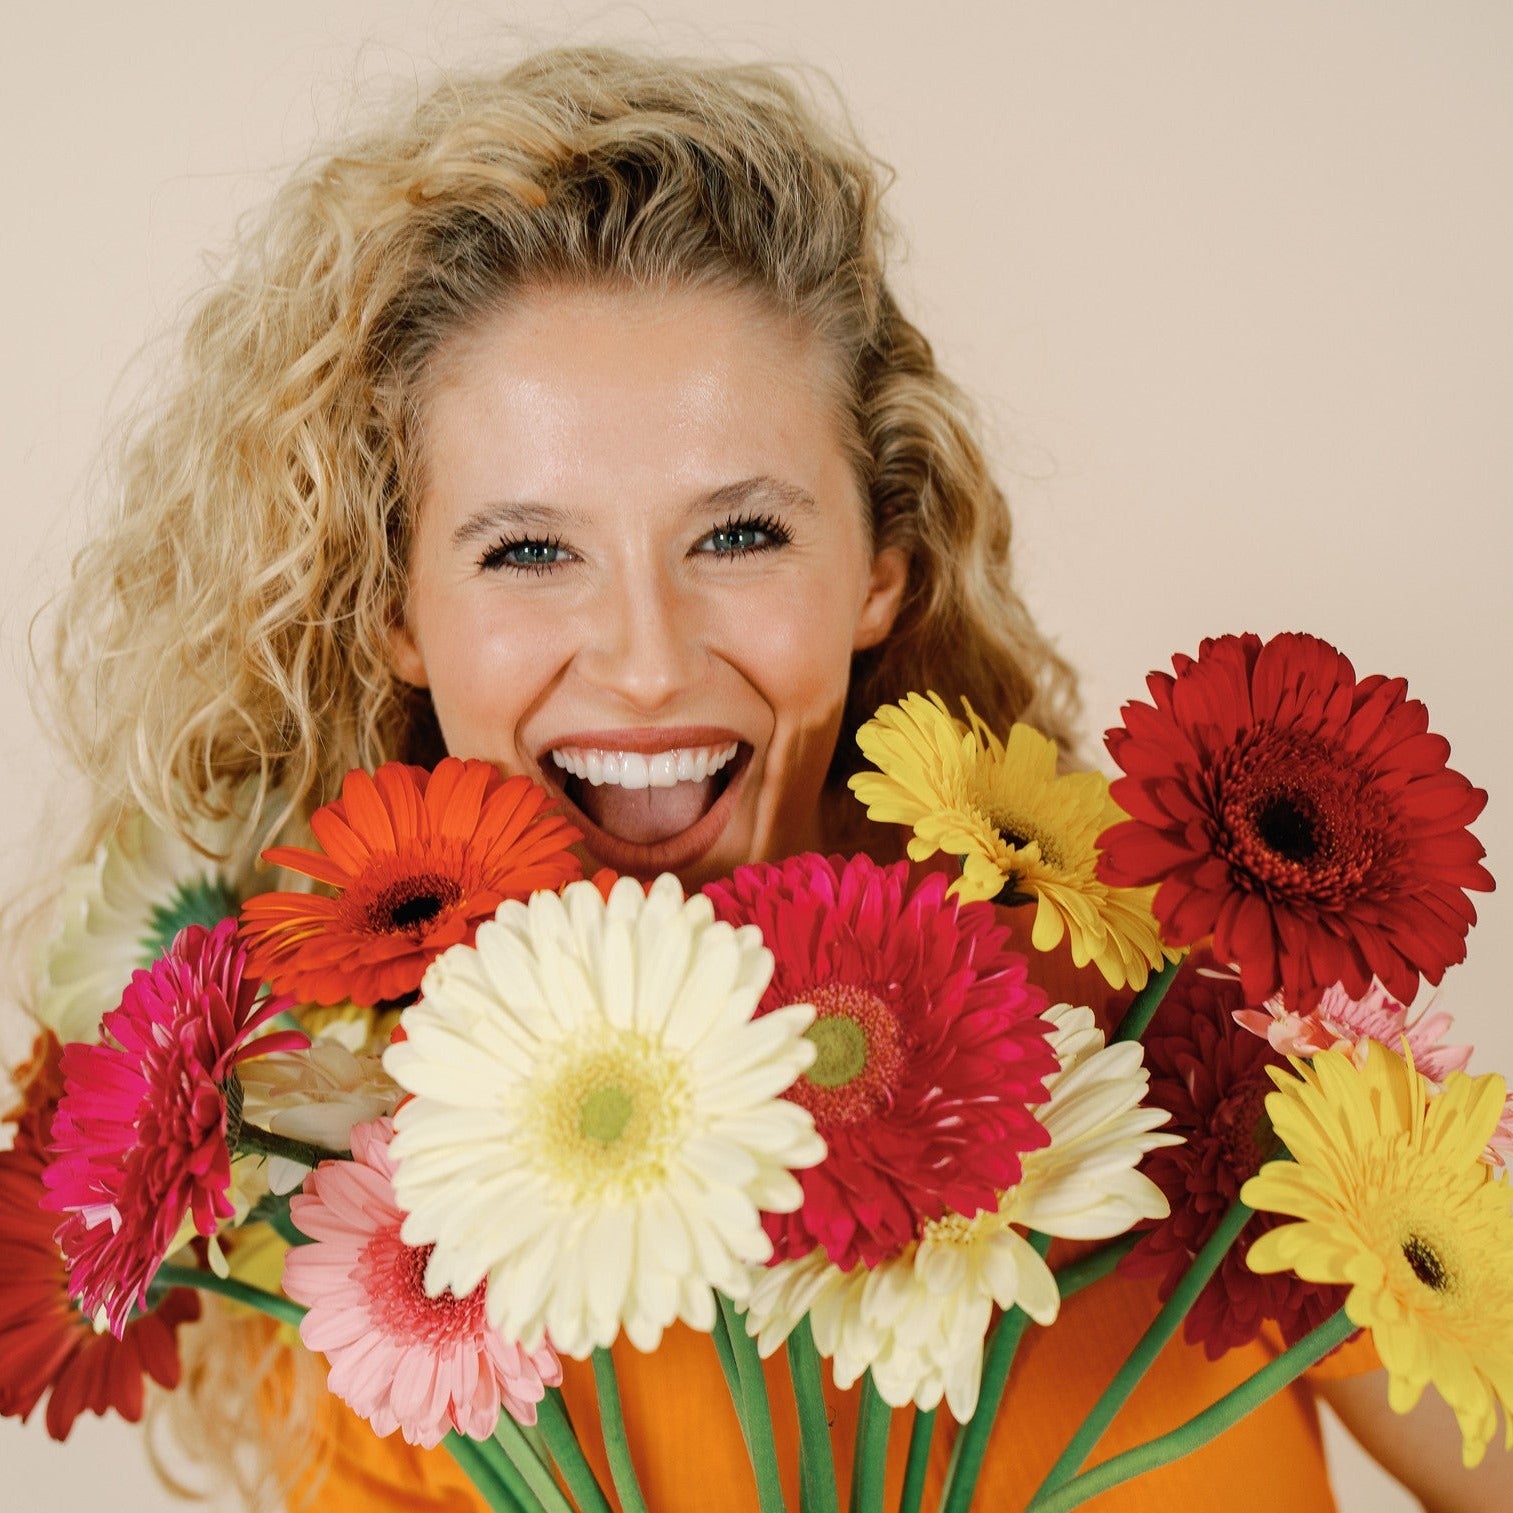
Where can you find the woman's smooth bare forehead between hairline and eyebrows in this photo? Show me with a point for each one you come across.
(568, 390)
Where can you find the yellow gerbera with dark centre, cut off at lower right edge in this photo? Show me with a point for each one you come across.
(1396, 1204)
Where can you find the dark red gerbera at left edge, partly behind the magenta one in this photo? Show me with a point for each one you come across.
(45, 1341)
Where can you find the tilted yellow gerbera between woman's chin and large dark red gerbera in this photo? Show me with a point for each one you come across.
(1021, 828)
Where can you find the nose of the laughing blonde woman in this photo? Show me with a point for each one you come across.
(645, 644)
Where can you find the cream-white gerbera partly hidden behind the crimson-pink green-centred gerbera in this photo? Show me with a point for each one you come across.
(918, 1322)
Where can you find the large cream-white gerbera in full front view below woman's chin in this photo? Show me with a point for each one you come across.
(597, 1120)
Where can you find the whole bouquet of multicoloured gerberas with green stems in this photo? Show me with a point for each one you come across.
(497, 1114)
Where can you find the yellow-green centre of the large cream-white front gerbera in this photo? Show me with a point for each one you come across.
(612, 1117)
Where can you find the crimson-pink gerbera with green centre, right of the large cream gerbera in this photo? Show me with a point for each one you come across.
(931, 1052)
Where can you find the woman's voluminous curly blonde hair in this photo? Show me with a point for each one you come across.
(228, 630)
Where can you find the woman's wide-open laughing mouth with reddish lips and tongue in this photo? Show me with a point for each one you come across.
(639, 843)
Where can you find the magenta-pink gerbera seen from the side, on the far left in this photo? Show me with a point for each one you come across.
(140, 1140)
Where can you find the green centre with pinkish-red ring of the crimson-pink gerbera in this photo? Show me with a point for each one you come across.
(860, 1055)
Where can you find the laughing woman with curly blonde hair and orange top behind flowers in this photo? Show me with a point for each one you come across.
(571, 424)
